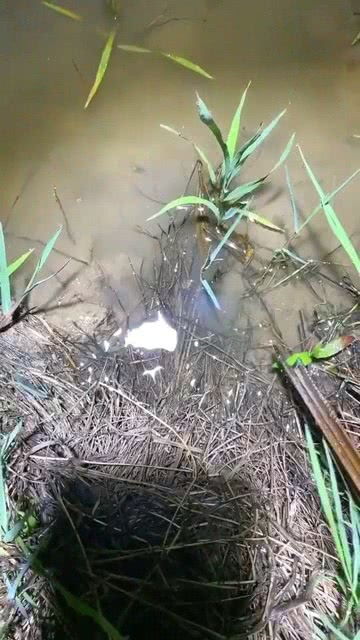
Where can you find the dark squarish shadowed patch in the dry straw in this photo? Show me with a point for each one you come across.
(157, 563)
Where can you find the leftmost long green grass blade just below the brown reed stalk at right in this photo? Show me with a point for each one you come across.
(324, 497)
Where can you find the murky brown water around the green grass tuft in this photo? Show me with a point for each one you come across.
(110, 163)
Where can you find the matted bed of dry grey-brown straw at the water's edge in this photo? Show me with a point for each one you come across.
(182, 503)
